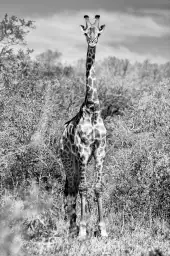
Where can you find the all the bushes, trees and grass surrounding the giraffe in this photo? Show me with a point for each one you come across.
(36, 98)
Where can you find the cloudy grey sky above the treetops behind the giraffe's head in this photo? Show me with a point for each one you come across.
(135, 29)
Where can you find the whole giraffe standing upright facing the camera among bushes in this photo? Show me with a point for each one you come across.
(84, 137)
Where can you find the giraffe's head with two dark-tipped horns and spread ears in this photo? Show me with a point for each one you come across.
(92, 31)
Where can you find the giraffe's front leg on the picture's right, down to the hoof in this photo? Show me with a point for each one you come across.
(99, 159)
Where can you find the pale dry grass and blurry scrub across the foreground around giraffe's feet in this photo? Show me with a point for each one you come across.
(134, 237)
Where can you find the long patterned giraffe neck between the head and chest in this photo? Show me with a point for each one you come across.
(91, 98)
